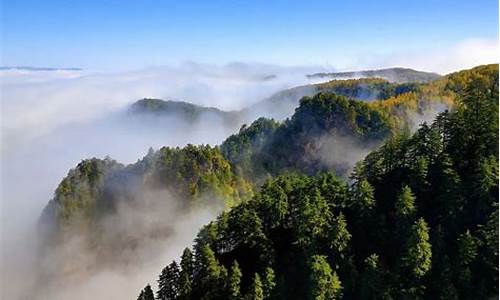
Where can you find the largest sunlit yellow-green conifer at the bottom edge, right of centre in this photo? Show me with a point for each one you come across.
(324, 282)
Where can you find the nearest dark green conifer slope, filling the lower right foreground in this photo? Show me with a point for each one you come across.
(417, 220)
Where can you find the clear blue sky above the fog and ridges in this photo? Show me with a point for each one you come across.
(134, 34)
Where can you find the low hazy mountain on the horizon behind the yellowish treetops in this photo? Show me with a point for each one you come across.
(398, 75)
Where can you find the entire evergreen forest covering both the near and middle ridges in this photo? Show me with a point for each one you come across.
(414, 215)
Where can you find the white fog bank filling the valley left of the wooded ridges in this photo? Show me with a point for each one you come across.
(53, 119)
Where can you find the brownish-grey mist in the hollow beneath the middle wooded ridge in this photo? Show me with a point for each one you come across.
(122, 252)
